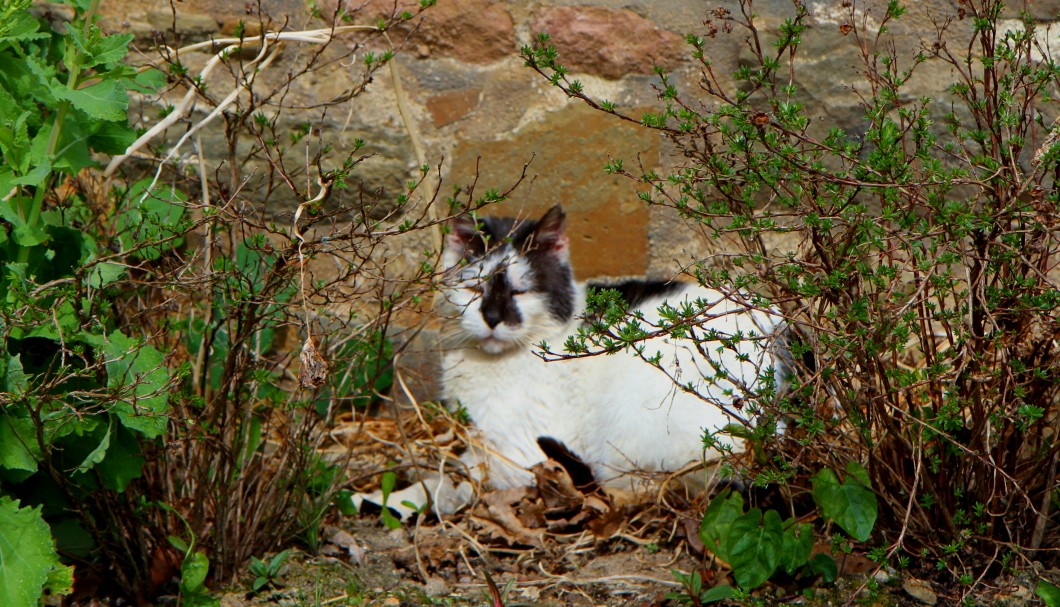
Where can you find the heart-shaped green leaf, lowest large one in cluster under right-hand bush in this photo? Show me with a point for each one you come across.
(754, 545)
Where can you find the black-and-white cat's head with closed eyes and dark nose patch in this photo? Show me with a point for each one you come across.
(509, 282)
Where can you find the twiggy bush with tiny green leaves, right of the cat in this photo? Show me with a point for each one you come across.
(922, 293)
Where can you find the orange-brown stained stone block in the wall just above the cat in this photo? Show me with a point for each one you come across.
(607, 222)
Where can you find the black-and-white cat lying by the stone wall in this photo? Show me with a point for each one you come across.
(510, 287)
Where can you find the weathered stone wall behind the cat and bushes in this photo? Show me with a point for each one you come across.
(483, 115)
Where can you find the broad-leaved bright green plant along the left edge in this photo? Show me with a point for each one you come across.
(79, 395)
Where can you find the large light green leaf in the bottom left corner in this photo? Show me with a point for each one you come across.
(30, 565)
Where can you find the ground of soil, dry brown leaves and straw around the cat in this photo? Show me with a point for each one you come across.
(553, 545)
